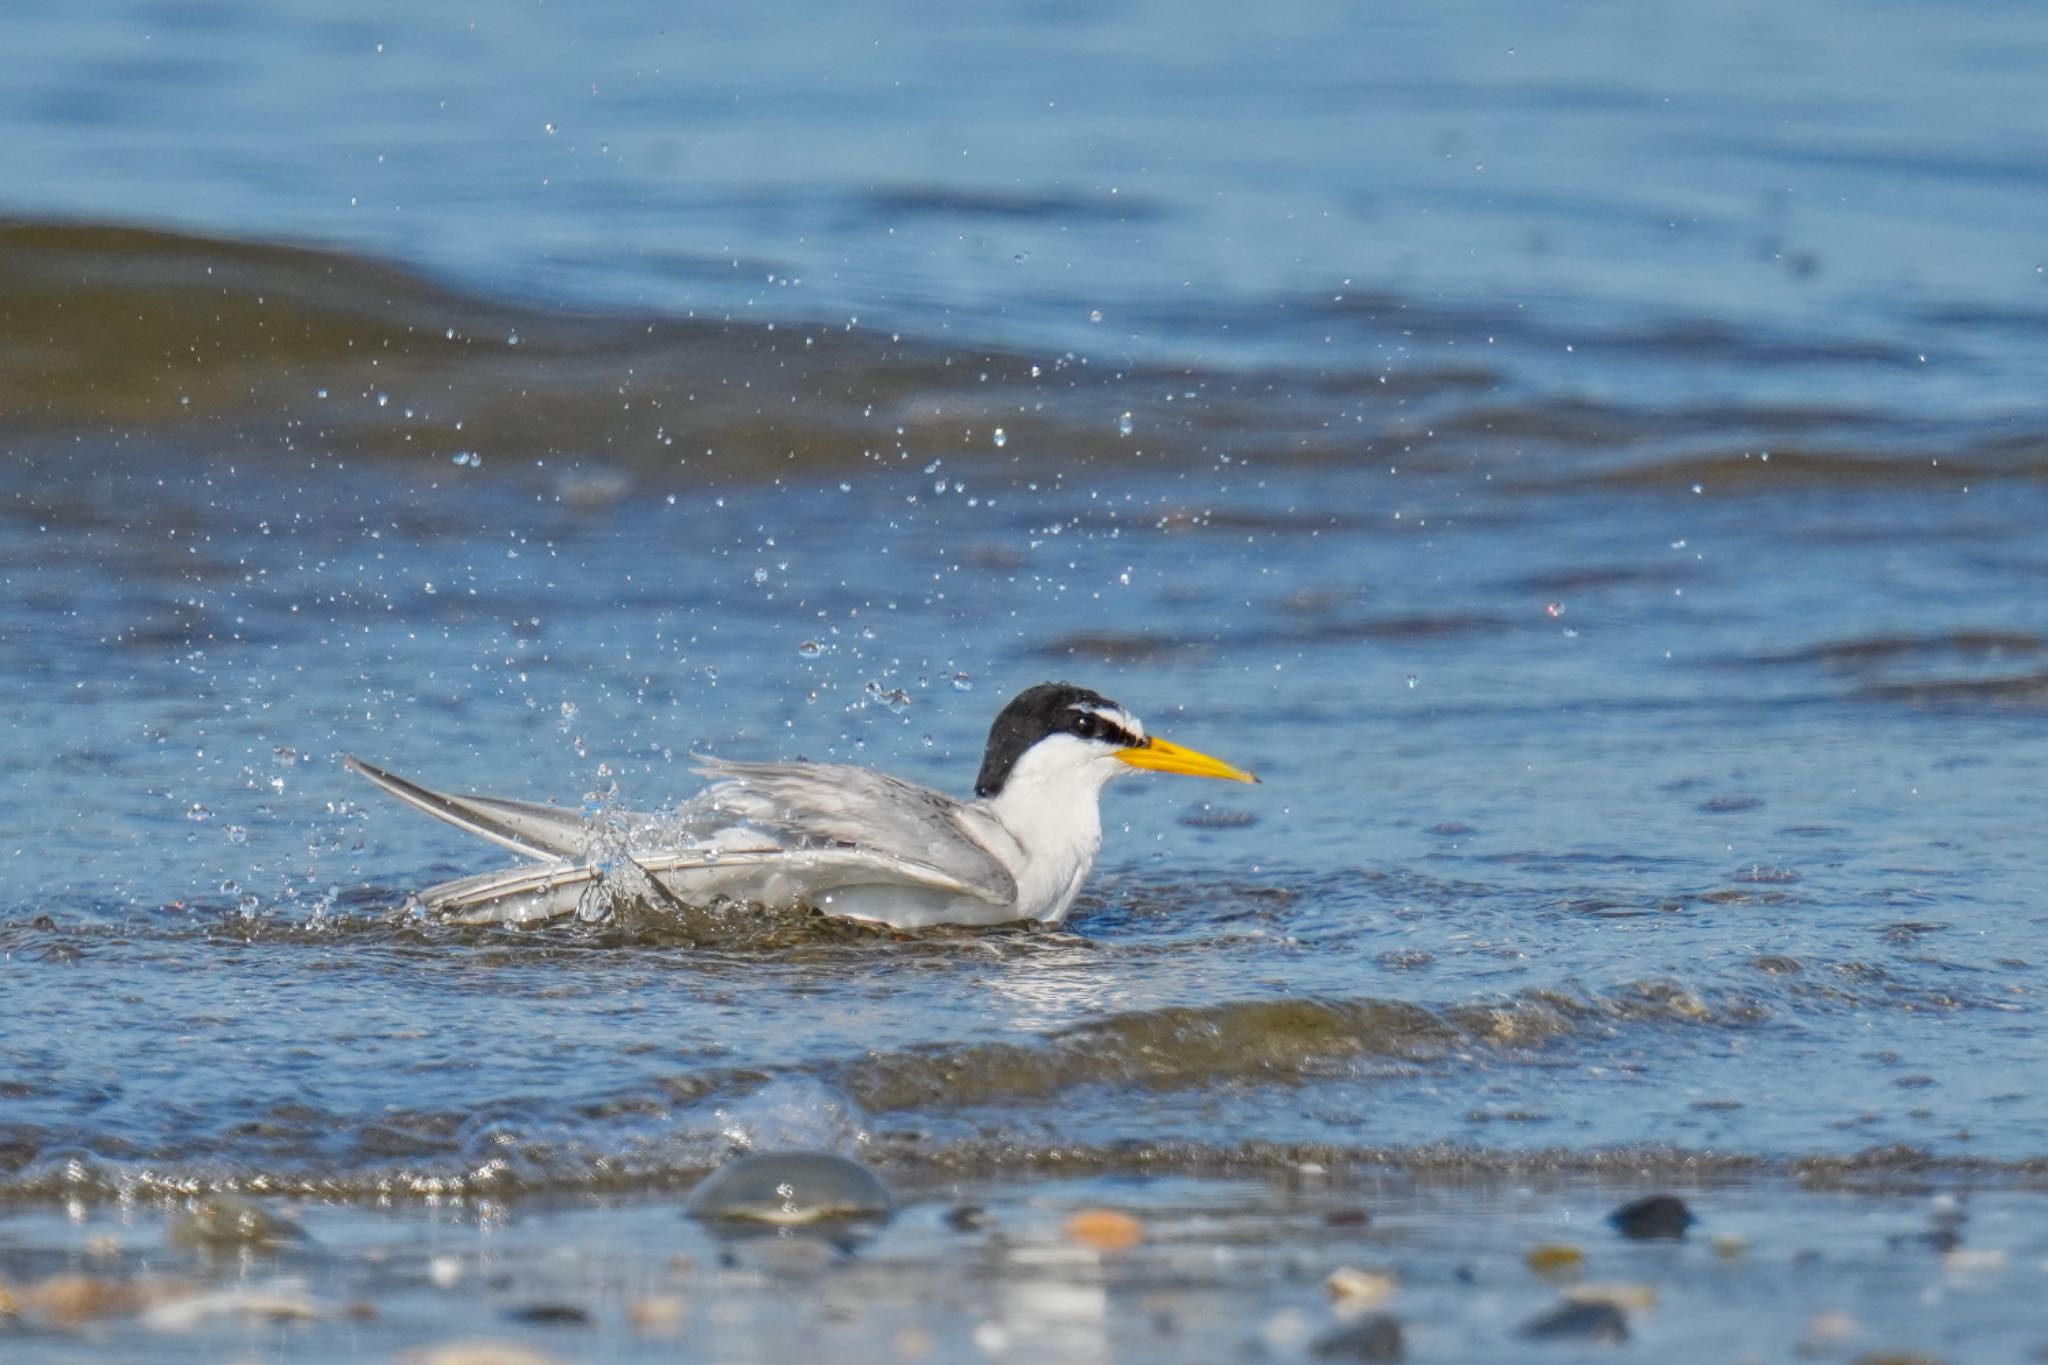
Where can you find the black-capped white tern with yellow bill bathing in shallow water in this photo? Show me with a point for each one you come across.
(835, 838)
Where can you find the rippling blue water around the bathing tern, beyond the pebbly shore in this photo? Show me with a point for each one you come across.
(1590, 461)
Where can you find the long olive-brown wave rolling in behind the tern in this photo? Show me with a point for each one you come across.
(204, 345)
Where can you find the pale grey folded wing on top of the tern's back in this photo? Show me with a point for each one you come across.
(839, 803)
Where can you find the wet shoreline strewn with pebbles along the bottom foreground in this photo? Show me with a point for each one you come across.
(1310, 1266)
